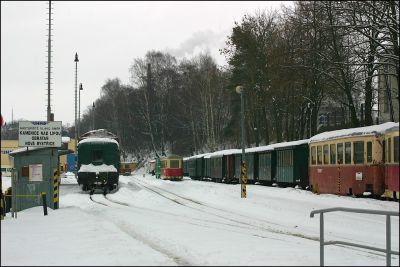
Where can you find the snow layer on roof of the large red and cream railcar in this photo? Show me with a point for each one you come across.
(367, 130)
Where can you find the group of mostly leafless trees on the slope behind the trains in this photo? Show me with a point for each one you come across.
(290, 63)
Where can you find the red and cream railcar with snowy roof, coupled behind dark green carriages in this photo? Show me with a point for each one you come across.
(349, 161)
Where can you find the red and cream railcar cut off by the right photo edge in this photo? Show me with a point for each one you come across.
(391, 159)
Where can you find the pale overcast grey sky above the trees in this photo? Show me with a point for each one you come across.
(108, 36)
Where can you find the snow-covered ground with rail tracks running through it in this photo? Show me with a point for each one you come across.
(147, 221)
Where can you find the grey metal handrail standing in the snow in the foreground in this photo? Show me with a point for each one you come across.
(322, 243)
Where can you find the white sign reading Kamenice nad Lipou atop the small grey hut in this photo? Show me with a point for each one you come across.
(39, 133)
